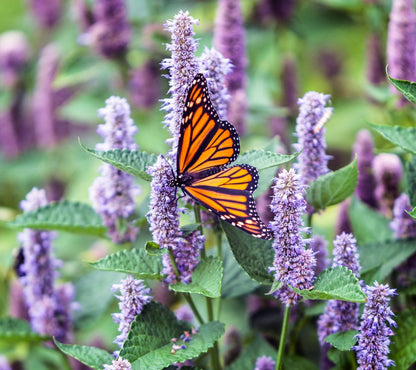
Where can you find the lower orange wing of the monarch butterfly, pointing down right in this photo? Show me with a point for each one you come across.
(229, 194)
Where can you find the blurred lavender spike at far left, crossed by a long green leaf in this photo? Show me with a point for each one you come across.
(49, 307)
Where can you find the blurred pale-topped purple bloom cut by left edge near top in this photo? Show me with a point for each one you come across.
(14, 55)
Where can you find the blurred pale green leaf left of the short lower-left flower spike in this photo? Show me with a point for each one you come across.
(93, 293)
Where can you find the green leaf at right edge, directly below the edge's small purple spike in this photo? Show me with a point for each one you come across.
(379, 259)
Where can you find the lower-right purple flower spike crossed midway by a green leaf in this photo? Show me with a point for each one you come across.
(340, 315)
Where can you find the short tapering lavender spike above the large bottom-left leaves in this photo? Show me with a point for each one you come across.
(133, 297)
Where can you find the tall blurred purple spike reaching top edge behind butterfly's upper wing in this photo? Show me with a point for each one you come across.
(229, 40)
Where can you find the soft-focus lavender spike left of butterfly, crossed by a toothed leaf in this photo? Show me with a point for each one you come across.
(112, 193)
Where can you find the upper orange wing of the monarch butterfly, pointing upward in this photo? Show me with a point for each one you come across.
(205, 142)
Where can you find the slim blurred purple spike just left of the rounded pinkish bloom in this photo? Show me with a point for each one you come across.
(364, 149)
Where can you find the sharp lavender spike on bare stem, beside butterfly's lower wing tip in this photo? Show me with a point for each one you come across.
(293, 264)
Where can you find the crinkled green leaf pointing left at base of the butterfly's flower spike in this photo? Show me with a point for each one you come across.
(134, 261)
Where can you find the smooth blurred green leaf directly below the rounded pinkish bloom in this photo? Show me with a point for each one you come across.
(368, 225)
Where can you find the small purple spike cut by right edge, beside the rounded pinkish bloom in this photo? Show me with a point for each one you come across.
(403, 224)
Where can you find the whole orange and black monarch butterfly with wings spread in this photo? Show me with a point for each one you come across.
(206, 145)
